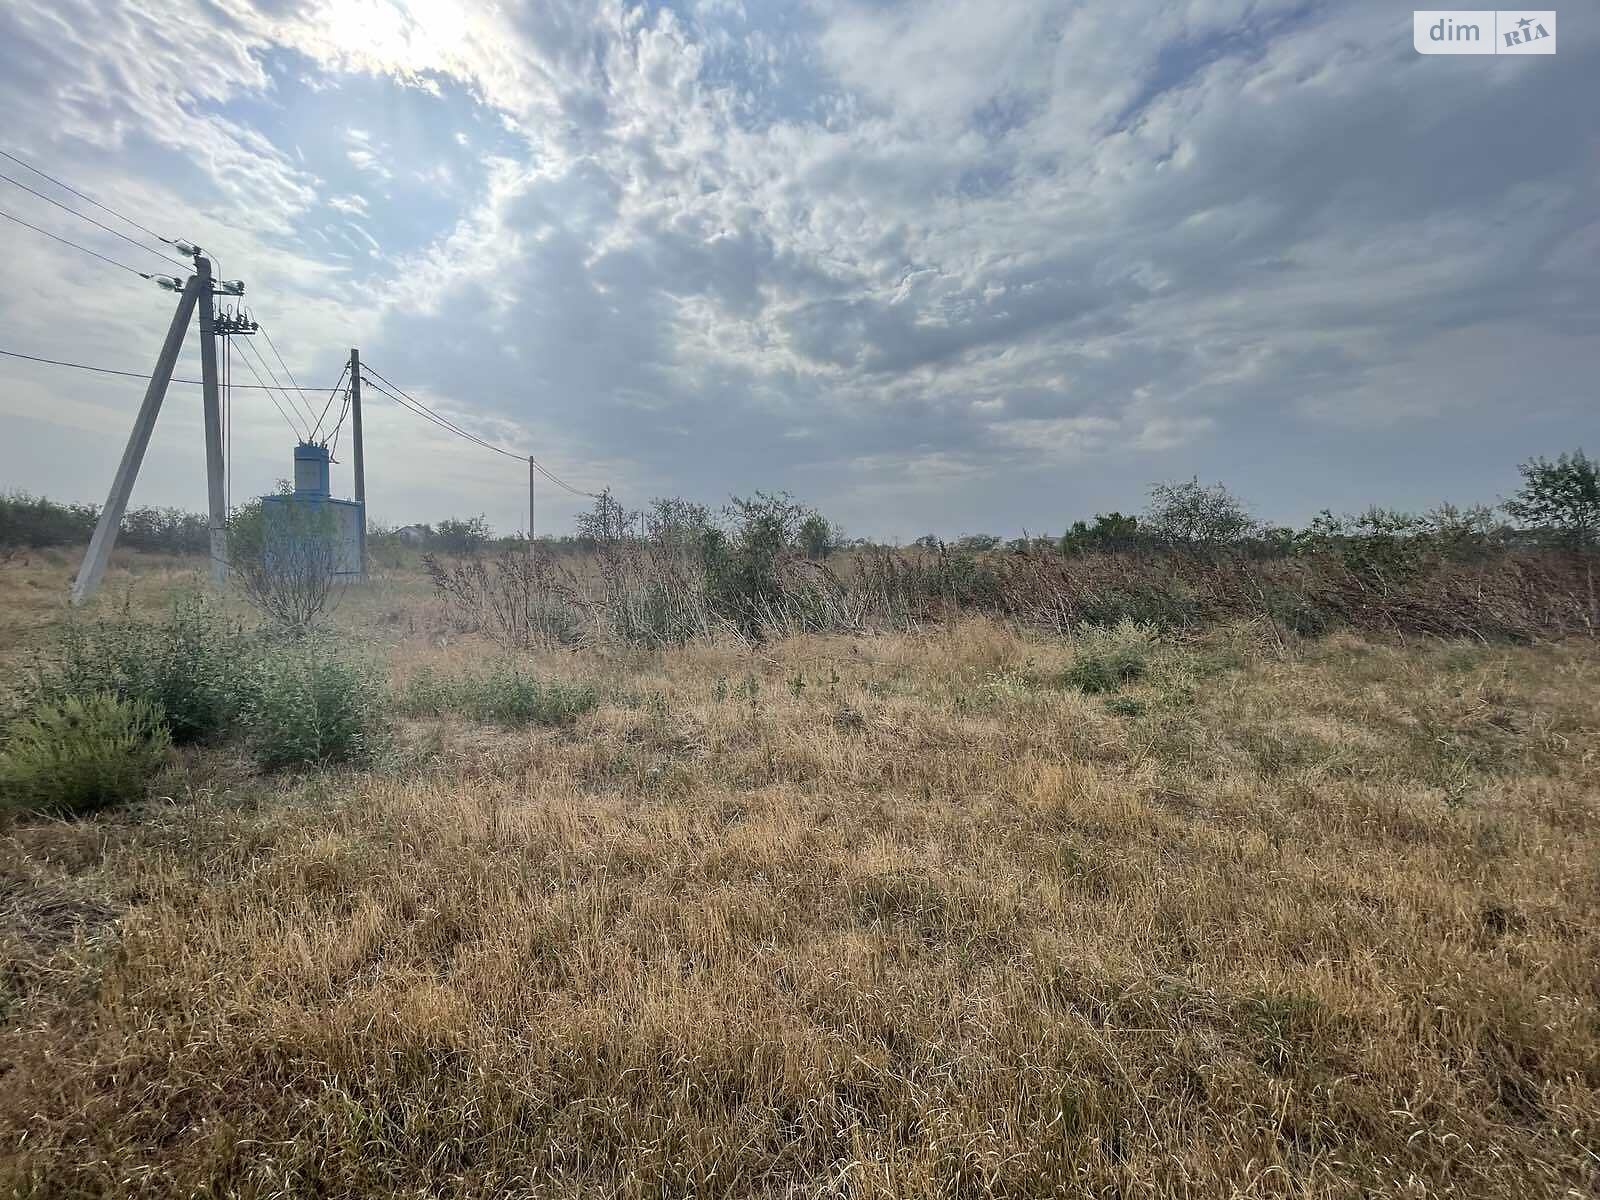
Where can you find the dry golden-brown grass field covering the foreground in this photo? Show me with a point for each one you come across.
(890, 916)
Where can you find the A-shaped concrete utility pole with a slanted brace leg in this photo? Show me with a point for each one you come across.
(194, 294)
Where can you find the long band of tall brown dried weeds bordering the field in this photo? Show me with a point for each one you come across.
(657, 593)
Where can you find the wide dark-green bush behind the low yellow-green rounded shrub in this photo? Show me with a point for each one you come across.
(193, 668)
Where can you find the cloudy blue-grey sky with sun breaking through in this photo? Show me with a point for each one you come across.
(945, 268)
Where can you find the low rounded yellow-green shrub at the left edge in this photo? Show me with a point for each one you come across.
(82, 754)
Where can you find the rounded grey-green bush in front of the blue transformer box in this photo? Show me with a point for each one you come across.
(310, 706)
